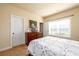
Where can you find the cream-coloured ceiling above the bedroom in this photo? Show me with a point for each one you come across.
(45, 9)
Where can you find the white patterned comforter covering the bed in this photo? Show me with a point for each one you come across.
(53, 46)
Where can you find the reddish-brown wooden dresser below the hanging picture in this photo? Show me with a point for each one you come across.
(29, 36)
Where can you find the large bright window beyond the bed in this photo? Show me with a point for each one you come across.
(60, 27)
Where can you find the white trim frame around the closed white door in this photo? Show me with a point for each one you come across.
(11, 28)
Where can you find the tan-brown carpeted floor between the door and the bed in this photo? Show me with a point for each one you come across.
(16, 51)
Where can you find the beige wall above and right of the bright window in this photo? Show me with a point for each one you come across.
(74, 21)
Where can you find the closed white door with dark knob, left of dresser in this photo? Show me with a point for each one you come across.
(17, 31)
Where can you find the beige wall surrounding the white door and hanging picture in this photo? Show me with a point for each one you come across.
(6, 11)
